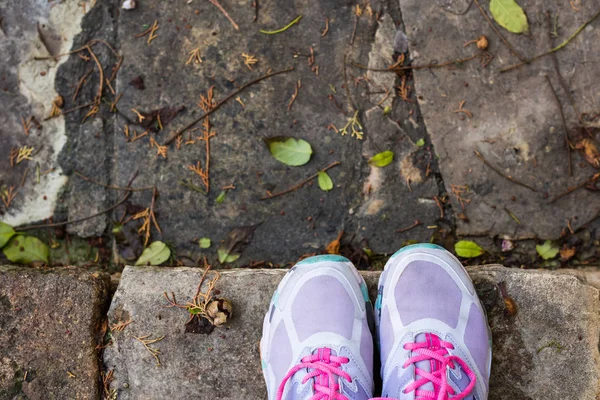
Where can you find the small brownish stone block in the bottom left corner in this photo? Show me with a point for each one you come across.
(49, 322)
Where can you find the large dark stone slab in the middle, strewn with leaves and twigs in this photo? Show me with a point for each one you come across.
(306, 220)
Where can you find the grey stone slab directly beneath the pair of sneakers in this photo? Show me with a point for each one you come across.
(552, 308)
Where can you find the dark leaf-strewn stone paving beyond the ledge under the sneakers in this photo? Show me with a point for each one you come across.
(515, 123)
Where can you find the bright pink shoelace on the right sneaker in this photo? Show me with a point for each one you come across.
(435, 351)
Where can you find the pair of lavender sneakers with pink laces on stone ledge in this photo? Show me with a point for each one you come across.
(431, 331)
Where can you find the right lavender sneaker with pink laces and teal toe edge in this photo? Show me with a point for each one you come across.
(432, 330)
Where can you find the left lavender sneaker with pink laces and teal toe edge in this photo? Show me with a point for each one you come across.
(317, 338)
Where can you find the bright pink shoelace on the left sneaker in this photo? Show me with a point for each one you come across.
(325, 368)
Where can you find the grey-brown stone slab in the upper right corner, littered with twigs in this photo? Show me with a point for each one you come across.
(516, 124)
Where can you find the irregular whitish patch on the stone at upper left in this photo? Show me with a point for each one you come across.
(65, 19)
